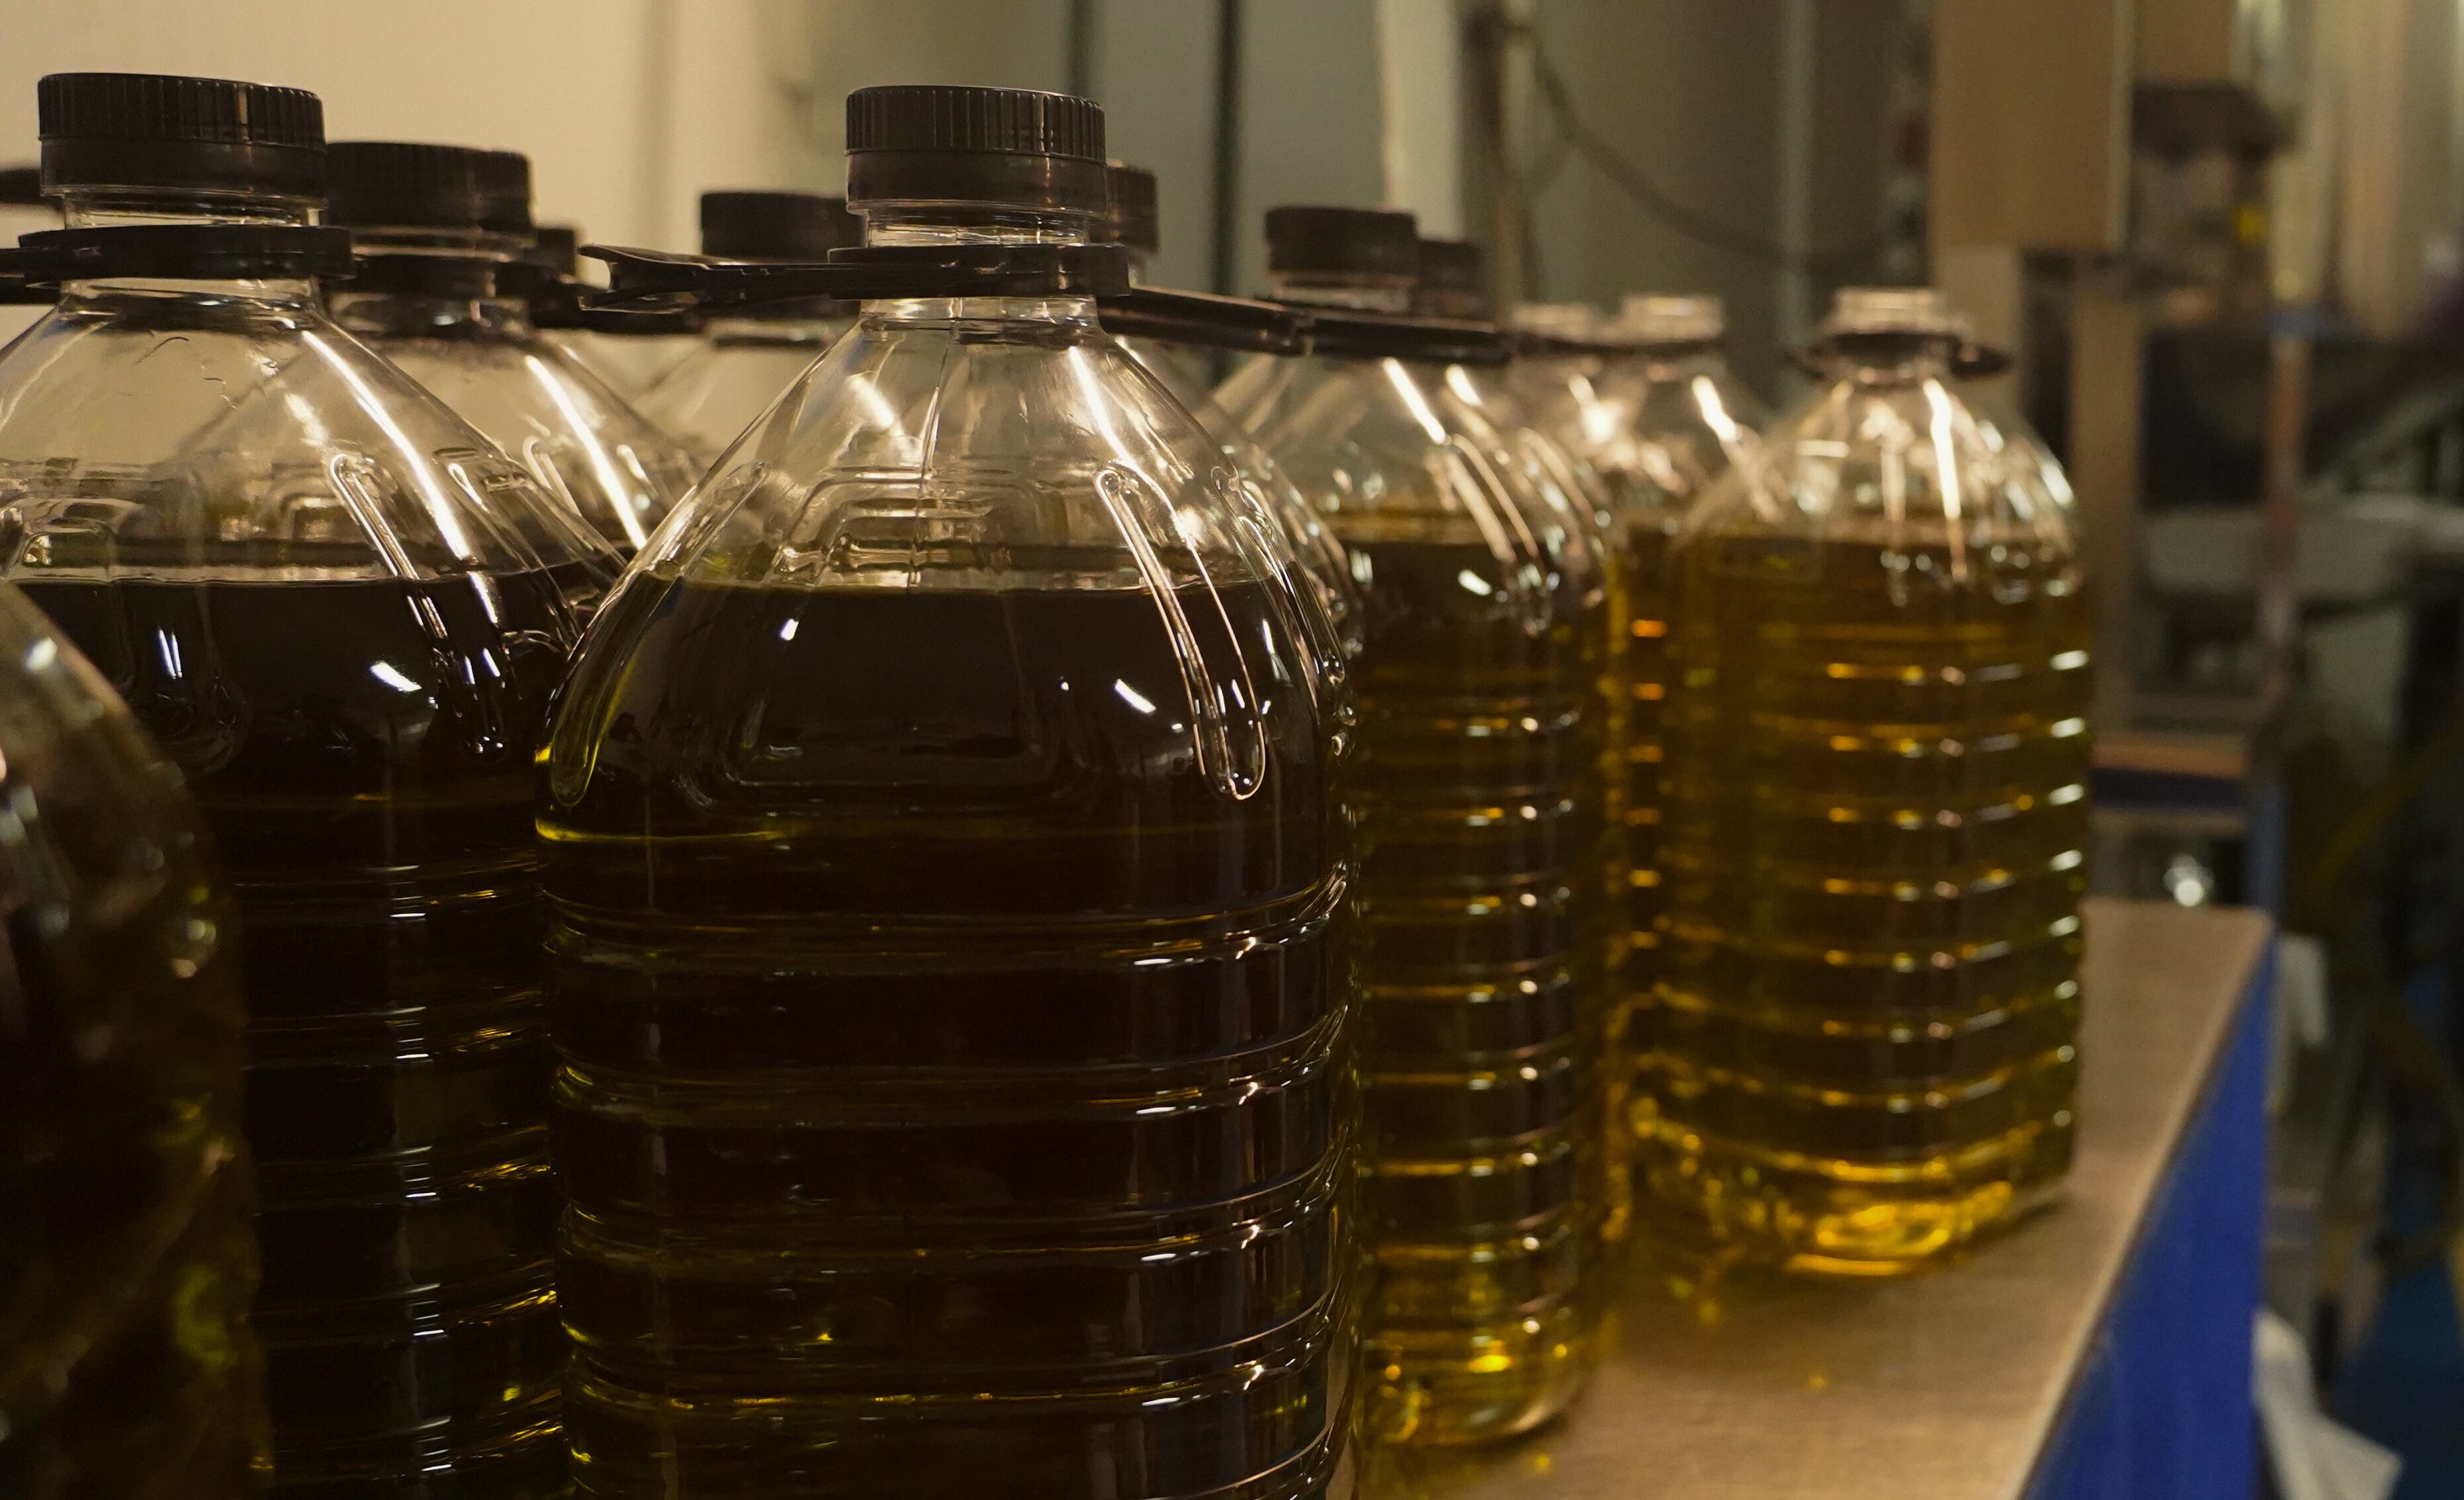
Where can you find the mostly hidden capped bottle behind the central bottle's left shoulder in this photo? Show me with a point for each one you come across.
(750, 358)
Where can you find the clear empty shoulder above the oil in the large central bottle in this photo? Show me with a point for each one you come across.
(930, 452)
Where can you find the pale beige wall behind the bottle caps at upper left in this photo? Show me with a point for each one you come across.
(625, 110)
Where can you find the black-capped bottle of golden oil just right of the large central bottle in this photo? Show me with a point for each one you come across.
(1482, 740)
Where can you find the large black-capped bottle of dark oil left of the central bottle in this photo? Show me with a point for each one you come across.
(341, 615)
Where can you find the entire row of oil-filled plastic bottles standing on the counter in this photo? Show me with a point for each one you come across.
(1061, 932)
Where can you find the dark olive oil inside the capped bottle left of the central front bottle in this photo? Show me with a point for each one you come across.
(363, 755)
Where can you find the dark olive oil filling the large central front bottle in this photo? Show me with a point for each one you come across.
(955, 1078)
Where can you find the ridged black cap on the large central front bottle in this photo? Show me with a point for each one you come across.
(992, 147)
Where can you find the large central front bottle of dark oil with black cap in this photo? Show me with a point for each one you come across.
(947, 900)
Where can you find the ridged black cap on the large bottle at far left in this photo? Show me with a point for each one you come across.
(154, 134)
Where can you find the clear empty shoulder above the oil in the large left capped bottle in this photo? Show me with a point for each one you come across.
(243, 437)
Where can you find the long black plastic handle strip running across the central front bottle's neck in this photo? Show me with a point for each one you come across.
(654, 282)
